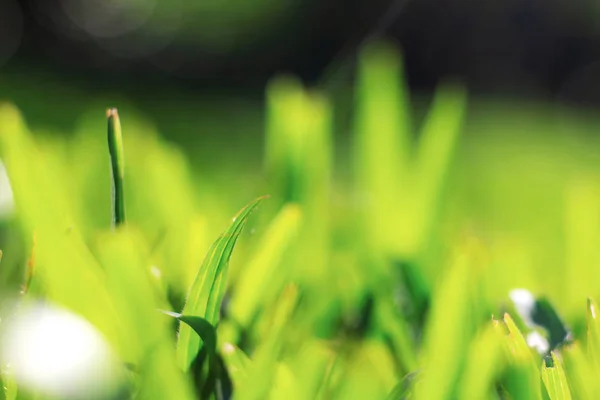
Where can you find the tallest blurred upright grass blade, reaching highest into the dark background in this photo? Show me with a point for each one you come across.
(382, 140)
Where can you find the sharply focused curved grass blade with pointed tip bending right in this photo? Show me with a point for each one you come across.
(205, 296)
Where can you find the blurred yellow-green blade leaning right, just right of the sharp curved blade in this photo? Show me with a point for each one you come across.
(256, 279)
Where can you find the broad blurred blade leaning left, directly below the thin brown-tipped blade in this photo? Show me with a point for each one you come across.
(130, 282)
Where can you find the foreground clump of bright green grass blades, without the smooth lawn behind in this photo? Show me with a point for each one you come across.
(308, 310)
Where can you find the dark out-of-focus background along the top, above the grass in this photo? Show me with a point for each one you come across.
(543, 49)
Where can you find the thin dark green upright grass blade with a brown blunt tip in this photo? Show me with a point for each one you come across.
(117, 164)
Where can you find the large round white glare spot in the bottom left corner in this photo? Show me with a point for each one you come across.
(58, 354)
